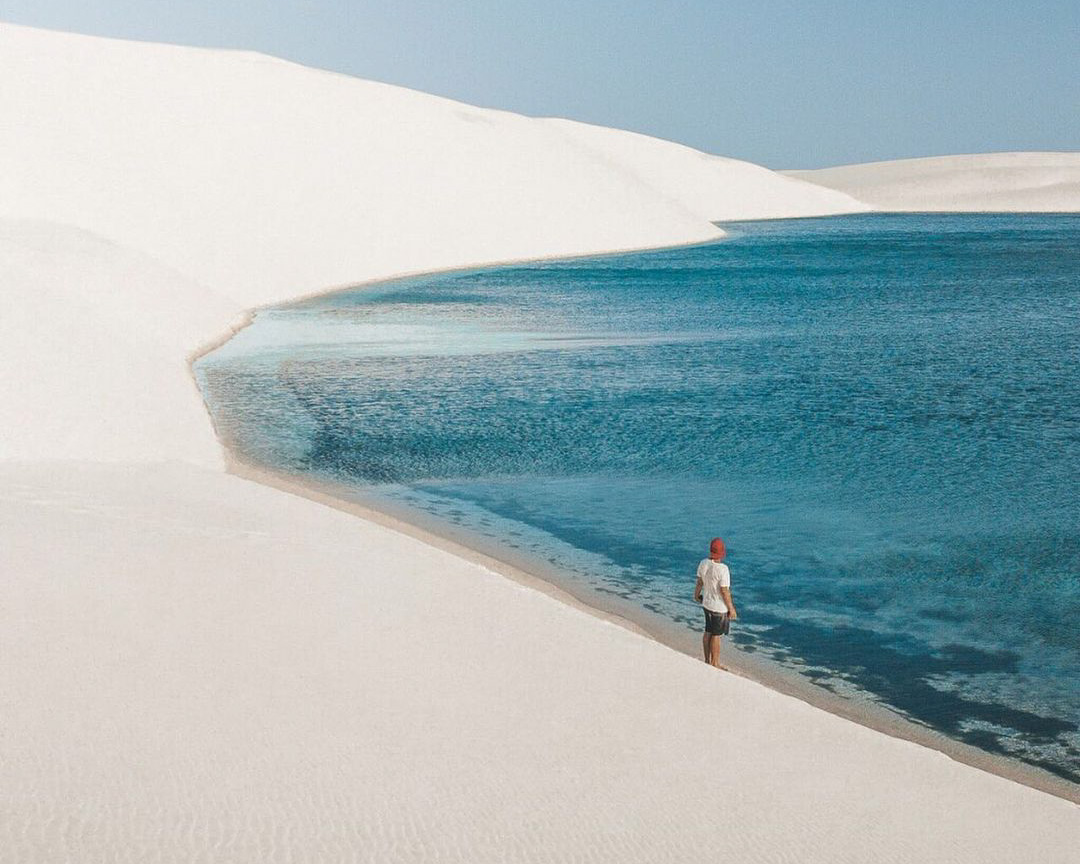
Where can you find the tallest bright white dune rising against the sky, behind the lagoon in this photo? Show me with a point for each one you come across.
(272, 180)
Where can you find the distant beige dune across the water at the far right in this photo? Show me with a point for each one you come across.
(1035, 183)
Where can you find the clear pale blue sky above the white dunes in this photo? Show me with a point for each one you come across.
(788, 85)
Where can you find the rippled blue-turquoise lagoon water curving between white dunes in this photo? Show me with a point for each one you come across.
(880, 414)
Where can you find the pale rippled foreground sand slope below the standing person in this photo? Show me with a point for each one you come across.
(200, 669)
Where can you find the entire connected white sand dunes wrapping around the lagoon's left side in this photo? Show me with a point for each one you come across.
(196, 668)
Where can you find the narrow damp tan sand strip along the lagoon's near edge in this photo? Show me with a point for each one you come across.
(656, 628)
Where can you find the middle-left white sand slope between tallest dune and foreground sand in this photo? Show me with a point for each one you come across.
(94, 341)
